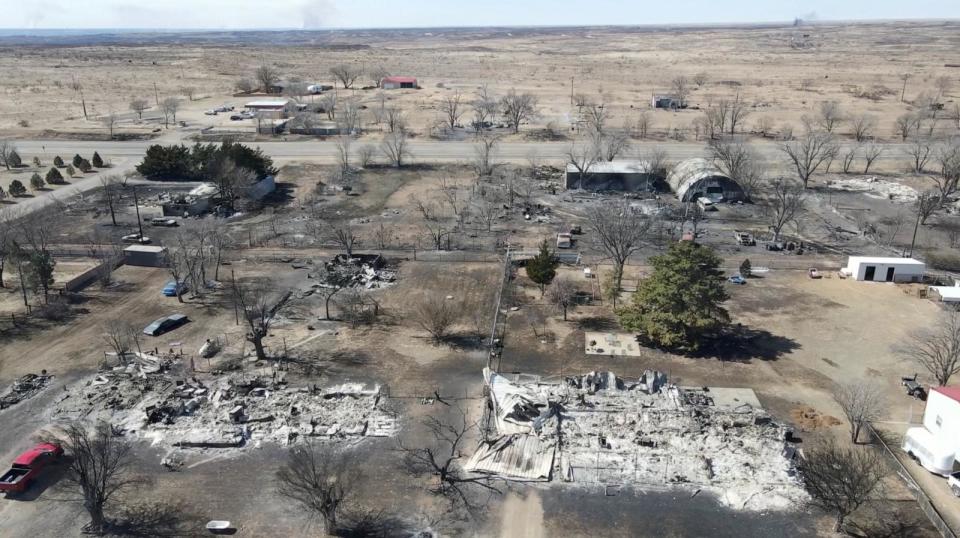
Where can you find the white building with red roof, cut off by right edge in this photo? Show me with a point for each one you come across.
(936, 443)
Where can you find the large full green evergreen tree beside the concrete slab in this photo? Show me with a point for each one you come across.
(680, 303)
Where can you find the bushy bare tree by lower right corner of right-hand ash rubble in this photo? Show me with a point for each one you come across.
(841, 479)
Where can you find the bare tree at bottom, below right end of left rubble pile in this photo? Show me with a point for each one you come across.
(320, 480)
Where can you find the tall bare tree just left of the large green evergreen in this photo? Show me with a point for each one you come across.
(619, 231)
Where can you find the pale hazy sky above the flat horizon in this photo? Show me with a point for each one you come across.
(427, 13)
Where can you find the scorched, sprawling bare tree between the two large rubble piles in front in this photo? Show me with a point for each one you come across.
(441, 458)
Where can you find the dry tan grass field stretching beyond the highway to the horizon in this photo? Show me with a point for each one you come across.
(782, 73)
